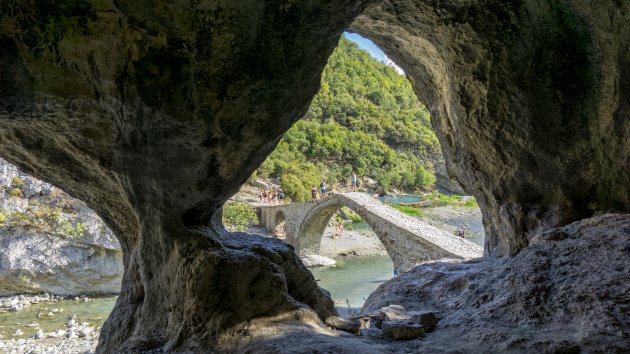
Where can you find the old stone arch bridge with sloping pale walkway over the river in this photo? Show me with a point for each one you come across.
(408, 241)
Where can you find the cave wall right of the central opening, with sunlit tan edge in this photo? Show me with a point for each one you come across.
(528, 100)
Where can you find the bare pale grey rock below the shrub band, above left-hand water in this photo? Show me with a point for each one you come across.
(36, 263)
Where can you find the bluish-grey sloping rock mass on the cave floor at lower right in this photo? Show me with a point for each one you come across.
(566, 292)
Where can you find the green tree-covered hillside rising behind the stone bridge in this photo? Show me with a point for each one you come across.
(365, 118)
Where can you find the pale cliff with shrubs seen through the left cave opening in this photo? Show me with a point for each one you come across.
(52, 243)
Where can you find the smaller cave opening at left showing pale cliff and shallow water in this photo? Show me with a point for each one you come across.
(61, 267)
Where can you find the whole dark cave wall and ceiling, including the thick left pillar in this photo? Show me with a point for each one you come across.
(154, 113)
